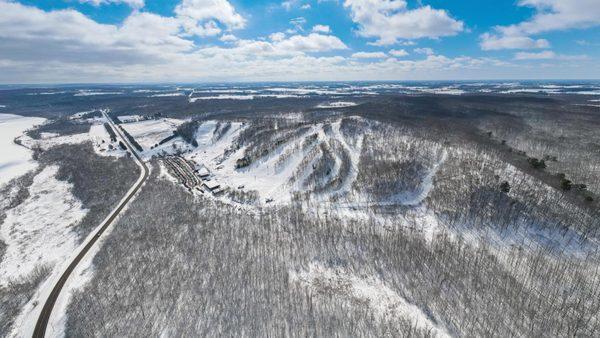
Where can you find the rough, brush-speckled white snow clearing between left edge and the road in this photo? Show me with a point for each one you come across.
(38, 231)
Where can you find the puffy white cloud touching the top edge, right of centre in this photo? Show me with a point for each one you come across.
(389, 21)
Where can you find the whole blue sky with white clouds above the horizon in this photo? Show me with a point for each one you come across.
(167, 41)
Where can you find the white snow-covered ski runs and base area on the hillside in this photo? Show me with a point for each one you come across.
(285, 170)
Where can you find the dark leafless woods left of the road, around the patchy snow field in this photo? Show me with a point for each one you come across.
(99, 182)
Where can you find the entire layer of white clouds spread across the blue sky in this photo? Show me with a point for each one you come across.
(205, 40)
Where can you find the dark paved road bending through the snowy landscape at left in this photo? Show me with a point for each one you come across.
(42, 322)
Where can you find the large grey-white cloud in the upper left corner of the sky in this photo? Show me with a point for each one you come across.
(30, 34)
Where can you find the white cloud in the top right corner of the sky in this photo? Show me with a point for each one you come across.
(550, 15)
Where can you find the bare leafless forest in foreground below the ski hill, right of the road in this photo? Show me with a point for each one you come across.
(196, 267)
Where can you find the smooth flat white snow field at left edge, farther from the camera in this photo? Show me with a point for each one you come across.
(15, 160)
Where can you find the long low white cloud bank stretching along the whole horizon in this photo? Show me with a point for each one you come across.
(66, 46)
